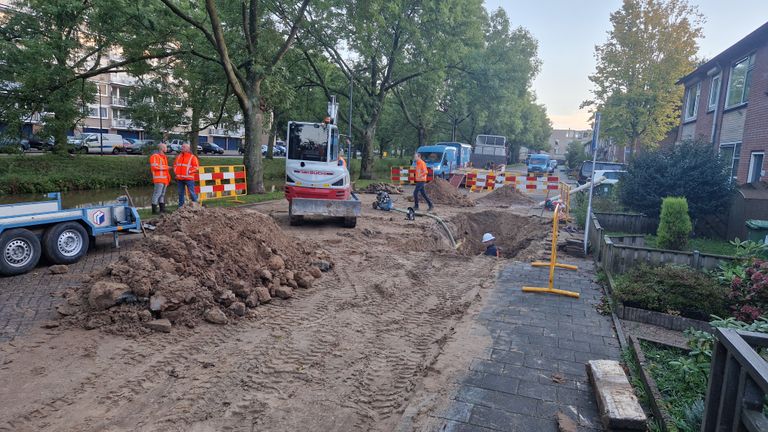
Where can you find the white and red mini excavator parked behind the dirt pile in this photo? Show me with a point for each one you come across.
(317, 182)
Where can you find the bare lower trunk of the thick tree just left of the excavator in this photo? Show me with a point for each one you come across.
(253, 124)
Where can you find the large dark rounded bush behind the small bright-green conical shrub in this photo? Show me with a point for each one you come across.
(689, 169)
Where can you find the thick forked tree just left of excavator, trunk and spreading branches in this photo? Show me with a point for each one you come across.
(250, 39)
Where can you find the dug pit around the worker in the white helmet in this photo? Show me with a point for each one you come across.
(520, 237)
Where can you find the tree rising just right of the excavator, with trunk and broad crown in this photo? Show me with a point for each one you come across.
(390, 43)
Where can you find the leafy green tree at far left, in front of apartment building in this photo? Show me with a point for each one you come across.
(50, 50)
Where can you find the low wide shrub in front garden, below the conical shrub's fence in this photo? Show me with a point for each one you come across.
(672, 289)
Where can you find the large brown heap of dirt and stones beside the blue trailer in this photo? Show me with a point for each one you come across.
(200, 264)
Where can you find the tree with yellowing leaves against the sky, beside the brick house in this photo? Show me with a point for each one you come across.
(652, 44)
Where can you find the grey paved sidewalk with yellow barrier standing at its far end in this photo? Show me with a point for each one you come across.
(538, 339)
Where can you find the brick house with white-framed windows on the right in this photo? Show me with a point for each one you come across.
(726, 104)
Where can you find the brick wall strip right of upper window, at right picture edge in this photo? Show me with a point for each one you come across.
(756, 122)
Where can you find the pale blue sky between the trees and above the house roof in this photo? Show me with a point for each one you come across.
(568, 30)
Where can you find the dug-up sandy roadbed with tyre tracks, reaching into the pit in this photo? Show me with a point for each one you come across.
(343, 355)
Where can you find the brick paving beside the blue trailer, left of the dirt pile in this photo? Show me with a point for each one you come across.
(28, 299)
